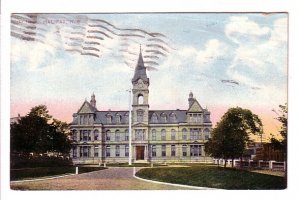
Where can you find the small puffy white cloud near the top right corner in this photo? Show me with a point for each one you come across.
(241, 29)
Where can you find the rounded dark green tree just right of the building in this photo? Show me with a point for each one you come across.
(232, 134)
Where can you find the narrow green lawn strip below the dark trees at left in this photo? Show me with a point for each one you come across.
(30, 173)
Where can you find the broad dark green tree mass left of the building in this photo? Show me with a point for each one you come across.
(38, 132)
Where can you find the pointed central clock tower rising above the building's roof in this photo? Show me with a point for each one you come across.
(140, 93)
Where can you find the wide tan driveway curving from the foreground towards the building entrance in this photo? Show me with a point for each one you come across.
(108, 179)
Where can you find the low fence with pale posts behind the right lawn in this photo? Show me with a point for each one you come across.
(252, 164)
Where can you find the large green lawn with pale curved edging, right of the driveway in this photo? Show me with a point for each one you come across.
(214, 177)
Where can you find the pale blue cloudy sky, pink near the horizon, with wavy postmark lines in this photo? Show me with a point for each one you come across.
(225, 59)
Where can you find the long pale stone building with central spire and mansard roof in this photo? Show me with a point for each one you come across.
(157, 135)
